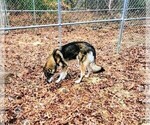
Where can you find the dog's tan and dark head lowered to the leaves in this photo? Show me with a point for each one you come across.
(50, 68)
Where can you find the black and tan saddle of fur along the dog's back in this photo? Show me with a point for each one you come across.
(71, 50)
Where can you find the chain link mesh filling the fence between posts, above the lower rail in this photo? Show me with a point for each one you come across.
(42, 12)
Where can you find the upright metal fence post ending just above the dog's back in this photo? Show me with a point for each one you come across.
(59, 24)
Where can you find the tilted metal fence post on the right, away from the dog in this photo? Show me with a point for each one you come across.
(125, 6)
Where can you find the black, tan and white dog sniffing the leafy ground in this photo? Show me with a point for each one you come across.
(82, 51)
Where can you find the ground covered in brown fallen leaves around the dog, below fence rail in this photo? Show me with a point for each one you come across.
(112, 97)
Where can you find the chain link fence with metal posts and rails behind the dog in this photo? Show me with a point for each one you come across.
(24, 14)
